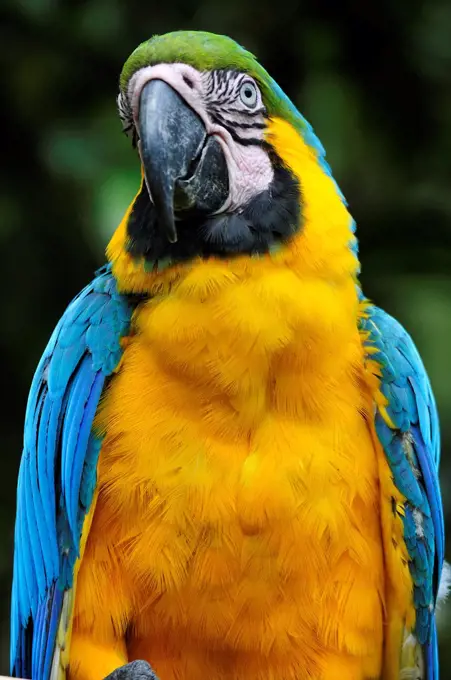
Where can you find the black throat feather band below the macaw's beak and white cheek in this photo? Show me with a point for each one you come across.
(266, 222)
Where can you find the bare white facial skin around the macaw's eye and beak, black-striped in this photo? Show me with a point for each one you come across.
(230, 106)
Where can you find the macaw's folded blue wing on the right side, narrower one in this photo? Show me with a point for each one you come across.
(412, 448)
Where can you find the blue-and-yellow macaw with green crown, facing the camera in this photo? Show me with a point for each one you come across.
(230, 455)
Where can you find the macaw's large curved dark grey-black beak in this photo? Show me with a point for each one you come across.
(185, 171)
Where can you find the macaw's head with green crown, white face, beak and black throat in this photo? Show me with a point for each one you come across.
(222, 153)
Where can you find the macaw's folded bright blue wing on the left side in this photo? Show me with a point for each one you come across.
(57, 474)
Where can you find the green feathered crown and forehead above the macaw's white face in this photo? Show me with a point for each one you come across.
(208, 51)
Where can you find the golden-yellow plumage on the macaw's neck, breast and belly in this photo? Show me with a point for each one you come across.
(244, 505)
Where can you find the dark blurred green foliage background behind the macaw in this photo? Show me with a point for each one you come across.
(374, 79)
